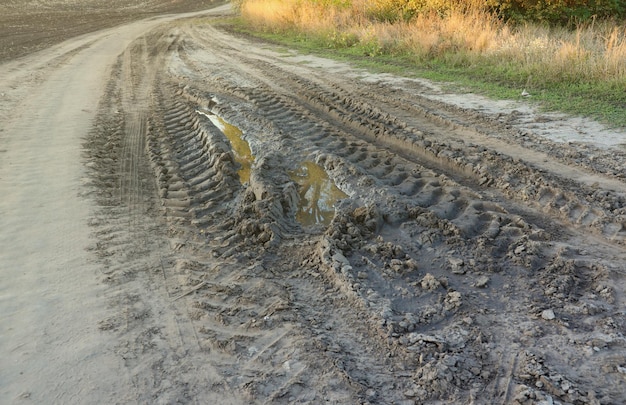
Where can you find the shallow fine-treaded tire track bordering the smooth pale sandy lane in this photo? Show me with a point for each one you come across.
(157, 339)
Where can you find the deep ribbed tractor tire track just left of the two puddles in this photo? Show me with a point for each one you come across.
(199, 186)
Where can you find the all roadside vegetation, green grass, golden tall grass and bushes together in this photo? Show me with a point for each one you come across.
(568, 55)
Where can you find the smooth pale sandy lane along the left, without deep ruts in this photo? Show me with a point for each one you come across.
(51, 296)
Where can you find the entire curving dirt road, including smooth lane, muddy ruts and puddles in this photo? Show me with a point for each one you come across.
(193, 217)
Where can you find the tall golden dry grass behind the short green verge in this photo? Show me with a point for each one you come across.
(463, 33)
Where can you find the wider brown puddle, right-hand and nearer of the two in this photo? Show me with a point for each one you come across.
(318, 194)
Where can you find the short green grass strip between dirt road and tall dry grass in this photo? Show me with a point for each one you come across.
(603, 99)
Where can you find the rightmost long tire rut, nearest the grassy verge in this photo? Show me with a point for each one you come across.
(380, 128)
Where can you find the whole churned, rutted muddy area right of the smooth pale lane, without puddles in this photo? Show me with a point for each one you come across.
(449, 272)
